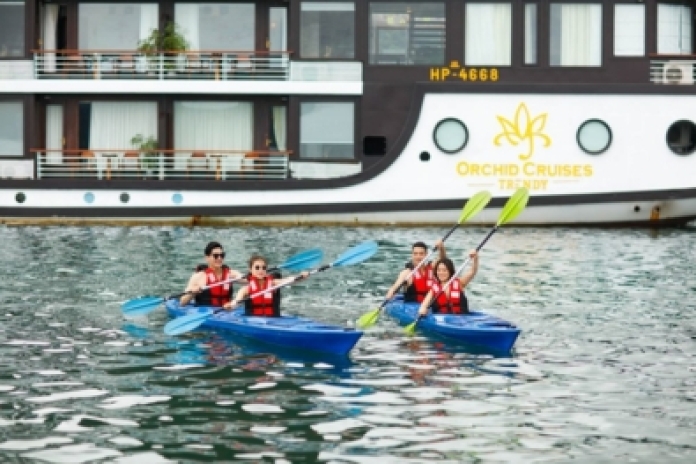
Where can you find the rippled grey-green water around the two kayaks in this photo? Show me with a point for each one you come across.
(604, 371)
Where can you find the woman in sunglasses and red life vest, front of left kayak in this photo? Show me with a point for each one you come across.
(266, 304)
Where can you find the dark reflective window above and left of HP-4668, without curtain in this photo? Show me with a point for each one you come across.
(407, 33)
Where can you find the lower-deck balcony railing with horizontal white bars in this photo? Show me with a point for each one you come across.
(213, 165)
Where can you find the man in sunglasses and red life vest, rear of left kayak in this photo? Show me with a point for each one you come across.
(215, 275)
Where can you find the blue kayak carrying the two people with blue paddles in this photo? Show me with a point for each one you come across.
(286, 331)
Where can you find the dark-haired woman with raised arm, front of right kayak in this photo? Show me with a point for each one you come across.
(452, 300)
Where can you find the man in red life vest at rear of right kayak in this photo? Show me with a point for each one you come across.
(417, 283)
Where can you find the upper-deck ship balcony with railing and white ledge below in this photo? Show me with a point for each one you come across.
(235, 72)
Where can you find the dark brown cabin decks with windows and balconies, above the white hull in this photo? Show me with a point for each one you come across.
(173, 93)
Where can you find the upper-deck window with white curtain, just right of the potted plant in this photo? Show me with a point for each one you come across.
(217, 26)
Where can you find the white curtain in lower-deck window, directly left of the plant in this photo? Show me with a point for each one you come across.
(113, 124)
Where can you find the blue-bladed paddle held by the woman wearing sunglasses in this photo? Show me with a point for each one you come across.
(353, 255)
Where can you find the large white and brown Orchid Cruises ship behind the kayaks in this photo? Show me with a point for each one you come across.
(346, 112)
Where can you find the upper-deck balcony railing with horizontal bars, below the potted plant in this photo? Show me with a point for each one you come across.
(206, 65)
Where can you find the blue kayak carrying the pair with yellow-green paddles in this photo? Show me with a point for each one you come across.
(475, 328)
